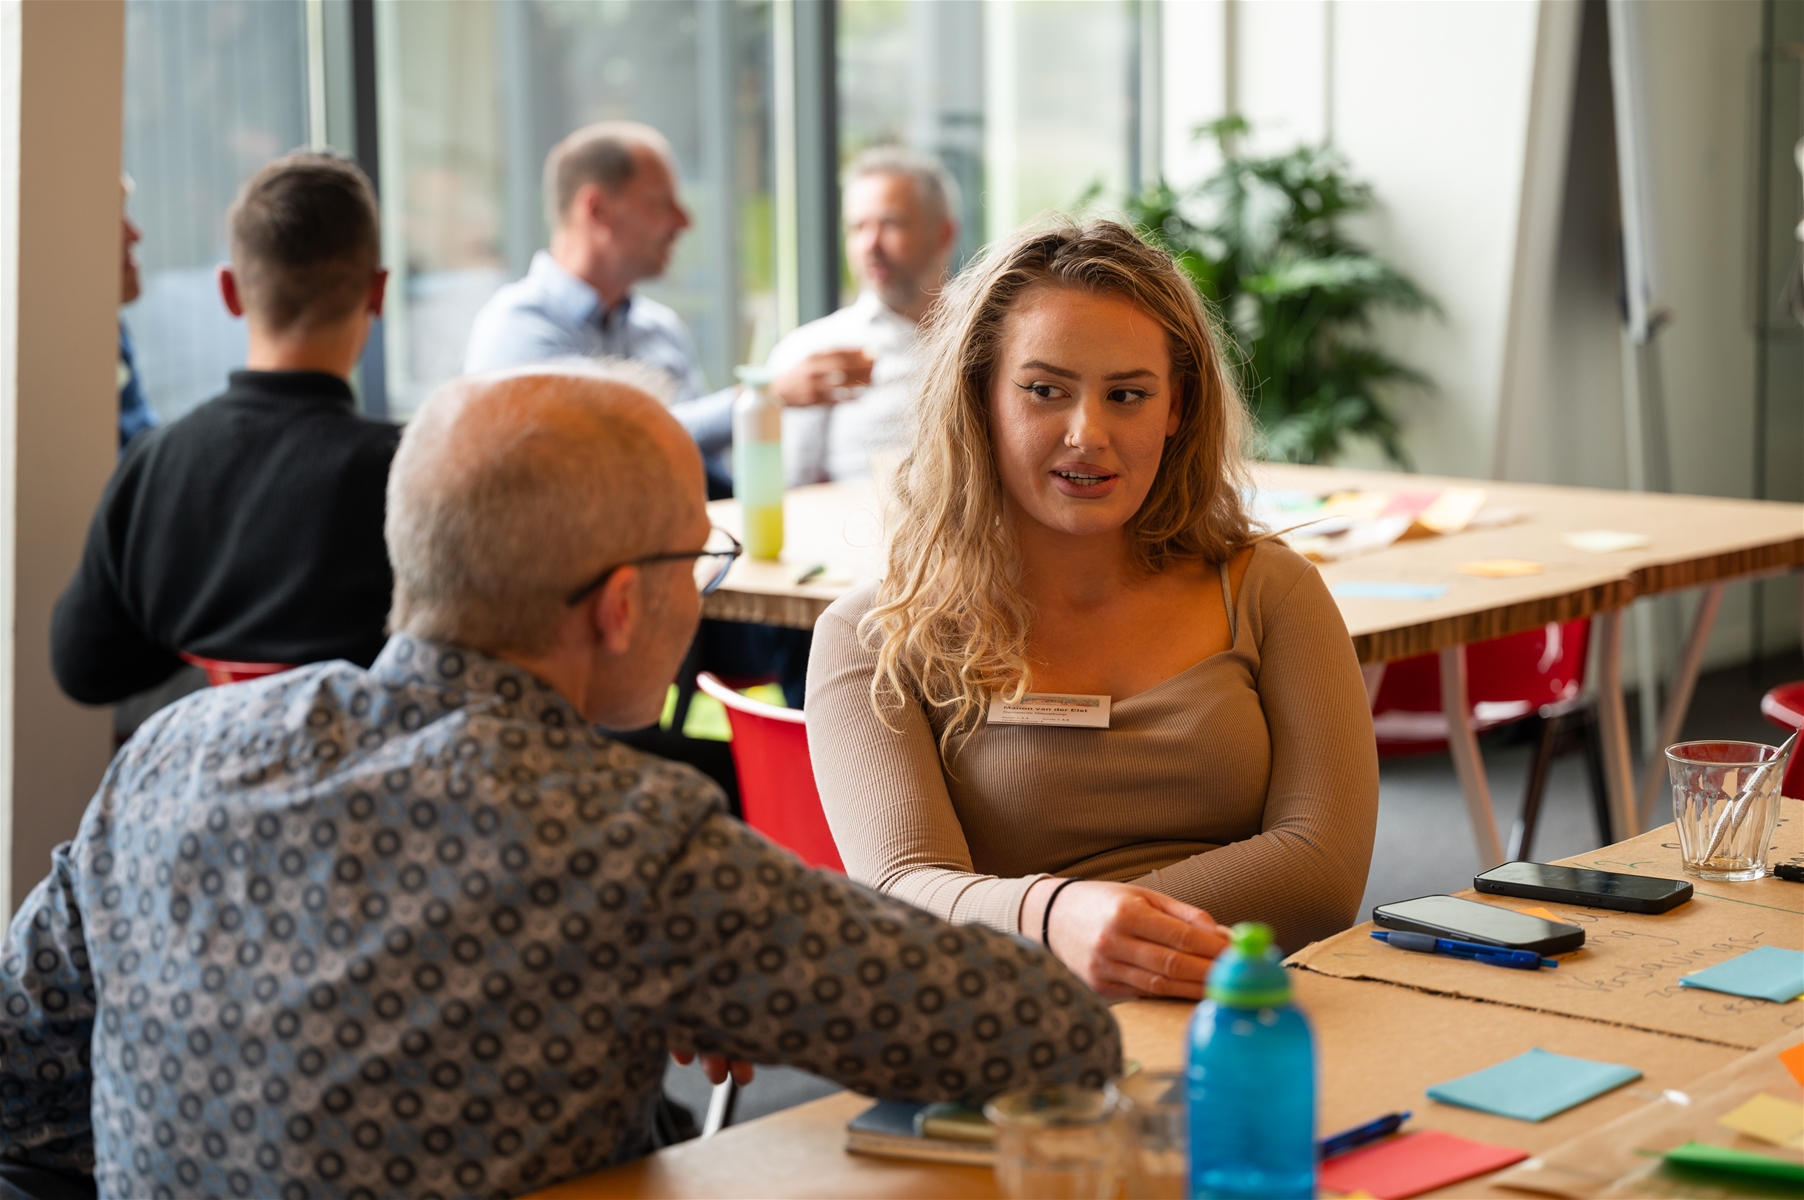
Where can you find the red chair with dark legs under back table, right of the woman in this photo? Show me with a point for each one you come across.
(1509, 679)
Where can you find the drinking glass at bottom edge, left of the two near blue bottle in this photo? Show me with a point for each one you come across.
(1056, 1143)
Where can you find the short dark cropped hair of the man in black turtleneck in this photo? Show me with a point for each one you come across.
(306, 241)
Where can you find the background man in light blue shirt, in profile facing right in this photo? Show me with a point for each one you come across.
(611, 196)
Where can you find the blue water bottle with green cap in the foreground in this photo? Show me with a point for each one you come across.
(1251, 1080)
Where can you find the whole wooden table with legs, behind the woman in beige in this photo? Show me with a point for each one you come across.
(1695, 542)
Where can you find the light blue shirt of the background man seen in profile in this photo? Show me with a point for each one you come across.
(551, 315)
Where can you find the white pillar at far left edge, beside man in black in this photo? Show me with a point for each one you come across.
(60, 118)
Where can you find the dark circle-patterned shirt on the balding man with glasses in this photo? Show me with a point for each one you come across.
(419, 930)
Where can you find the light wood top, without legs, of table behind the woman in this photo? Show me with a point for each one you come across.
(1695, 540)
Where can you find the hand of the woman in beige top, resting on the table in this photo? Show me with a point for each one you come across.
(1127, 941)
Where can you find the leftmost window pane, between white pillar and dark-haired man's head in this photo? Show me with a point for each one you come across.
(214, 89)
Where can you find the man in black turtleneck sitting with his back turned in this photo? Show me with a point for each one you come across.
(252, 530)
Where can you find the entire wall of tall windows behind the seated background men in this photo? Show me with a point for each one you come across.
(1029, 106)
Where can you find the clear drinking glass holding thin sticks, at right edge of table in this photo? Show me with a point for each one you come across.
(1724, 829)
